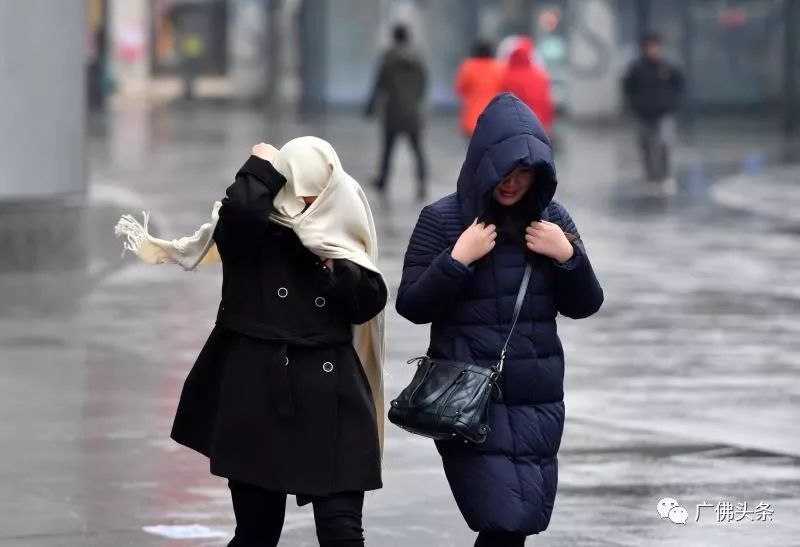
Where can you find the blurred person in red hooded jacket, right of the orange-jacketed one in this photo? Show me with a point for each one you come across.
(530, 83)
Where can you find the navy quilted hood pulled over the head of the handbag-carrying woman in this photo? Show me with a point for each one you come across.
(508, 134)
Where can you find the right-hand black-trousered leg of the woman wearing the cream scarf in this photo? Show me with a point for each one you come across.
(338, 520)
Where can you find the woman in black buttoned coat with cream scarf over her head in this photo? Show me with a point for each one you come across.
(286, 396)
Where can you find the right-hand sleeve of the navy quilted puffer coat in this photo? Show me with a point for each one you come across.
(578, 292)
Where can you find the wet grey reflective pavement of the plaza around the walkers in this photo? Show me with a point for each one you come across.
(685, 385)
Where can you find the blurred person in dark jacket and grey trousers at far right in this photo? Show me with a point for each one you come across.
(653, 89)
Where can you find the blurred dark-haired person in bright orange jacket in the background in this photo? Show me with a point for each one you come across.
(478, 81)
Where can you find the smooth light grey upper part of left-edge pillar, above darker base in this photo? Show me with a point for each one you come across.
(42, 98)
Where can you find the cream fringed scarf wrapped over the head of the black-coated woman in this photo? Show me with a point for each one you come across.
(337, 225)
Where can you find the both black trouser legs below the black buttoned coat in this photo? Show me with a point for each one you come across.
(260, 513)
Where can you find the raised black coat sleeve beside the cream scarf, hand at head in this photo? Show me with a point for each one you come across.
(246, 207)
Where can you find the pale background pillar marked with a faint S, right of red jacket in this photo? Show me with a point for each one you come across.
(594, 87)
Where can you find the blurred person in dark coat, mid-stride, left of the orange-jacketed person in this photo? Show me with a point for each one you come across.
(399, 95)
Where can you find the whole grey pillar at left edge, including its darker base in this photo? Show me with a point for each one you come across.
(43, 173)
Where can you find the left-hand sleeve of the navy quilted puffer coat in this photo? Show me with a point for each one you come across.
(432, 279)
